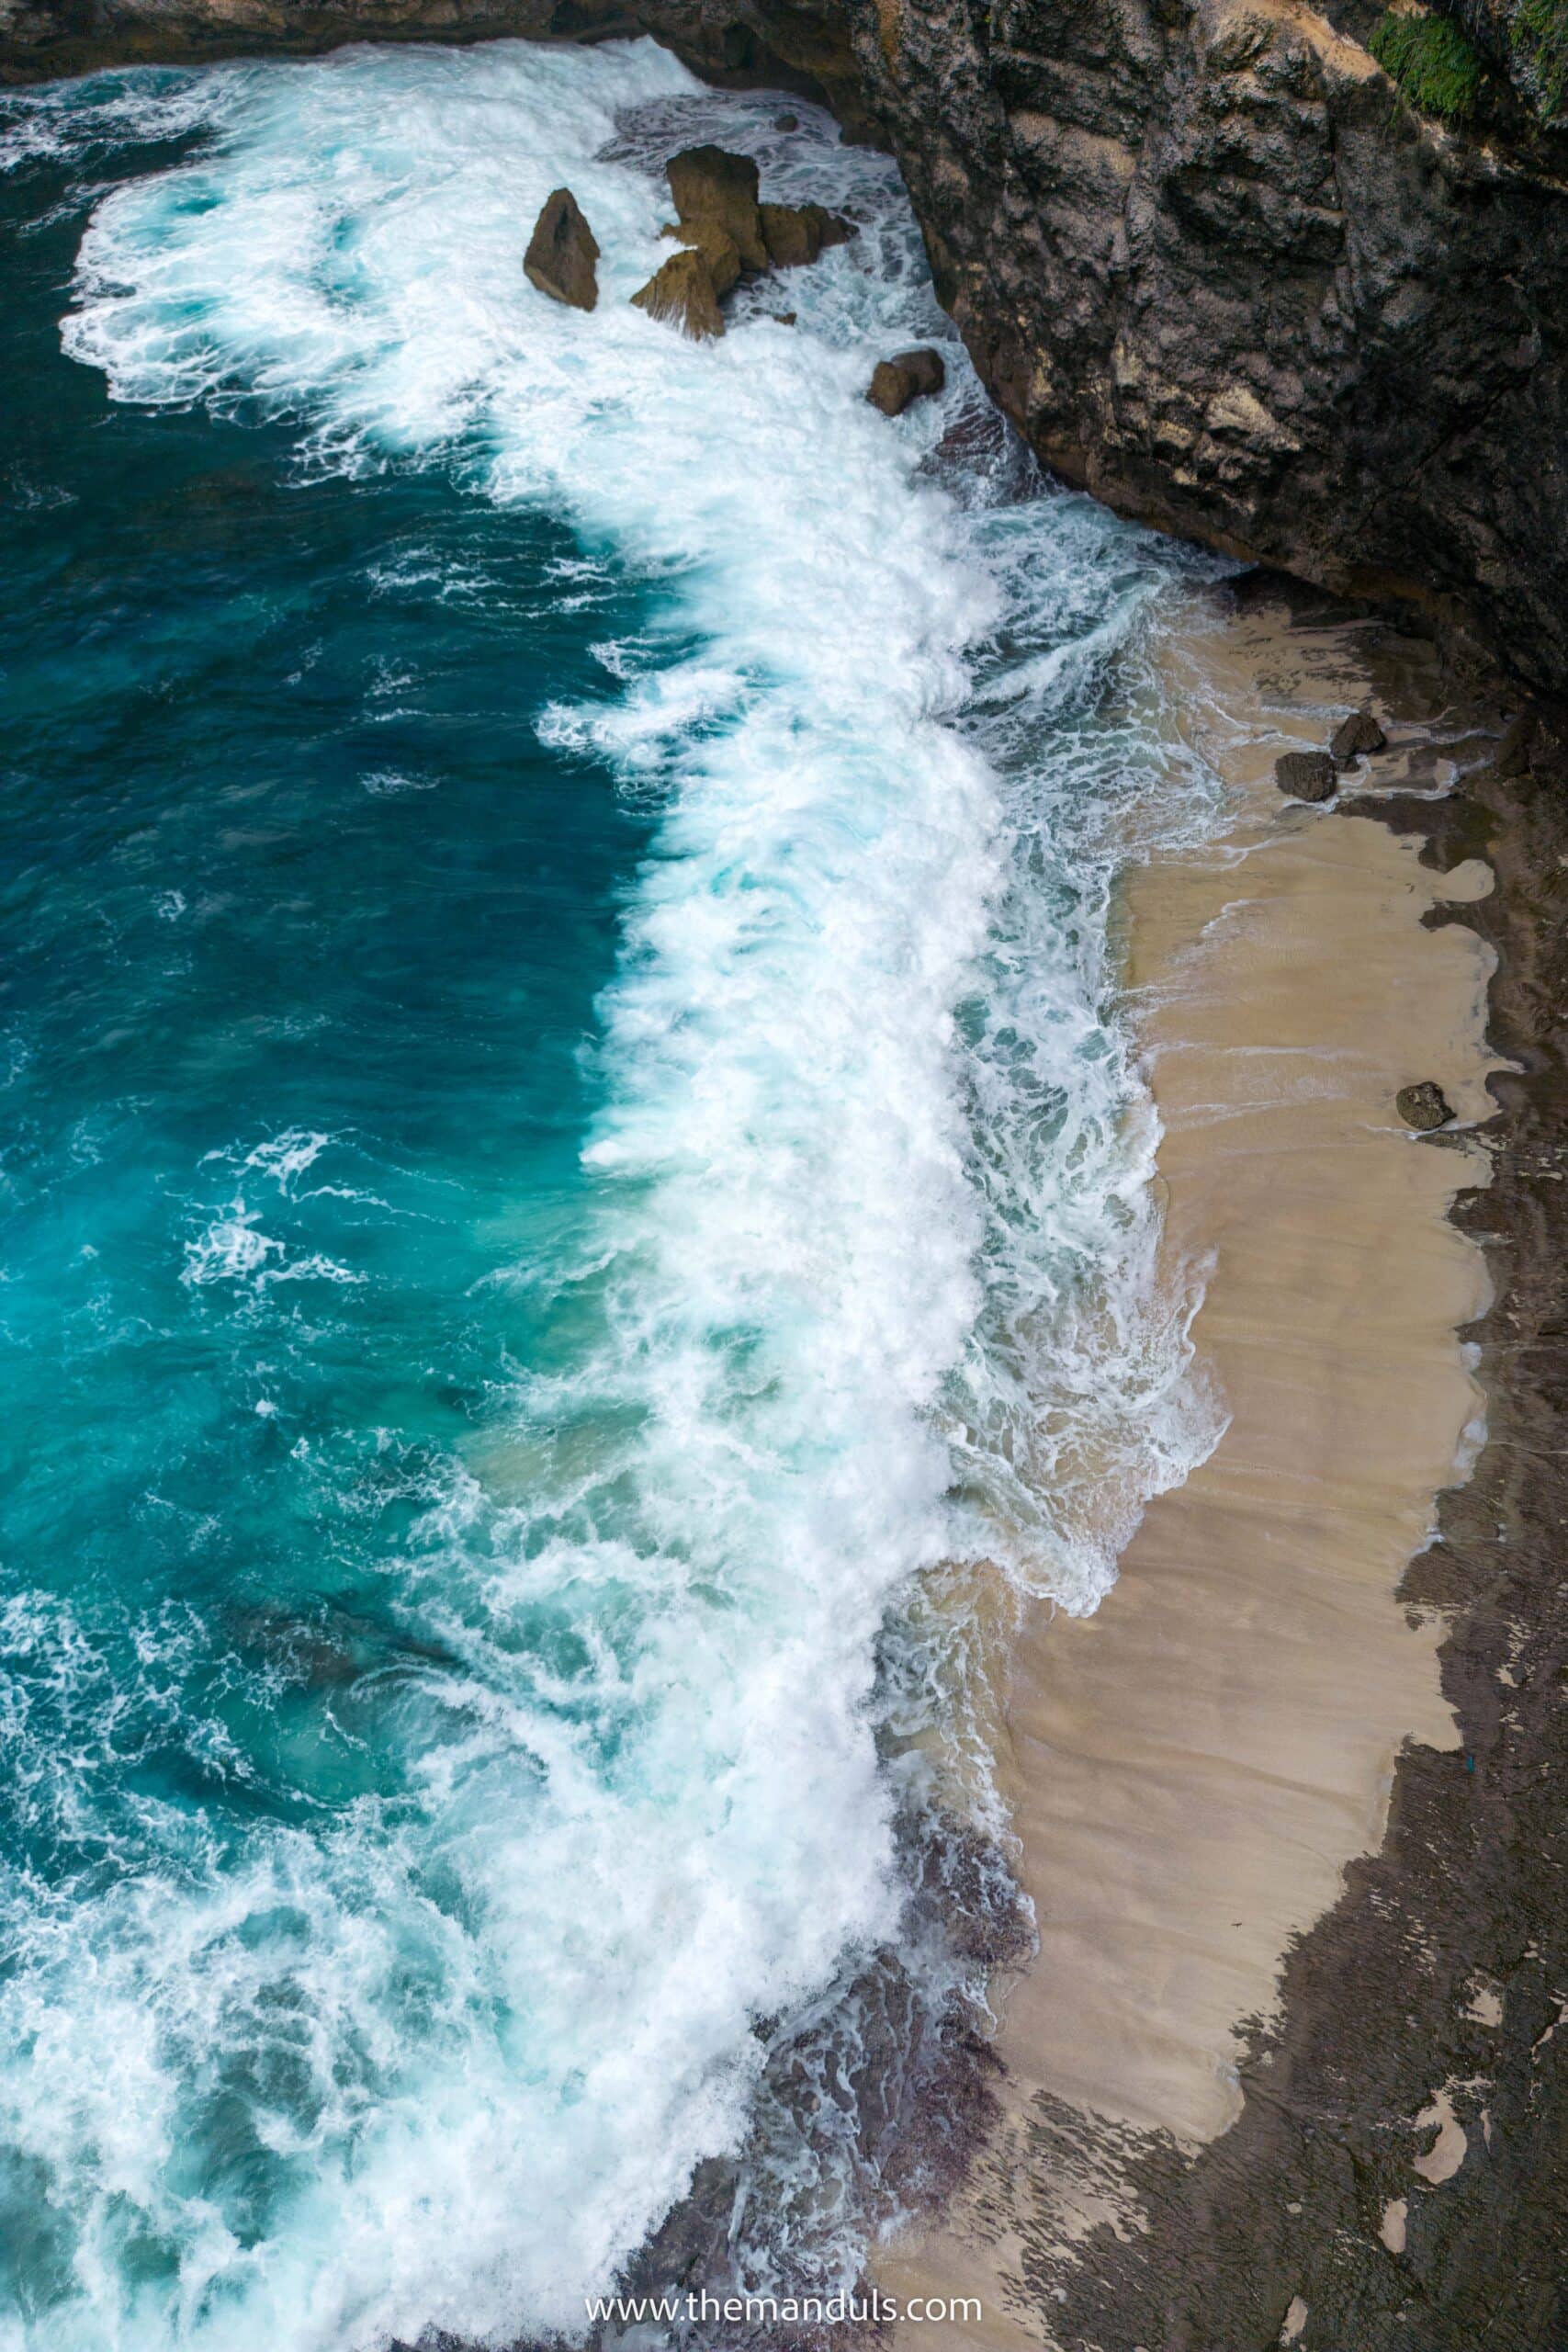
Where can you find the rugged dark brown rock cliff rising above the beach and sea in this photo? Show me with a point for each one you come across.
(1207, 258)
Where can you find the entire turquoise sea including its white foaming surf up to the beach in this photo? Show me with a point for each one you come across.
(568, 1144)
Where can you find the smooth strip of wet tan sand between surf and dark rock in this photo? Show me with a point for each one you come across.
(1195, 1765)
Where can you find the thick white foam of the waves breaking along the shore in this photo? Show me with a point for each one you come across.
(869, 1283)
